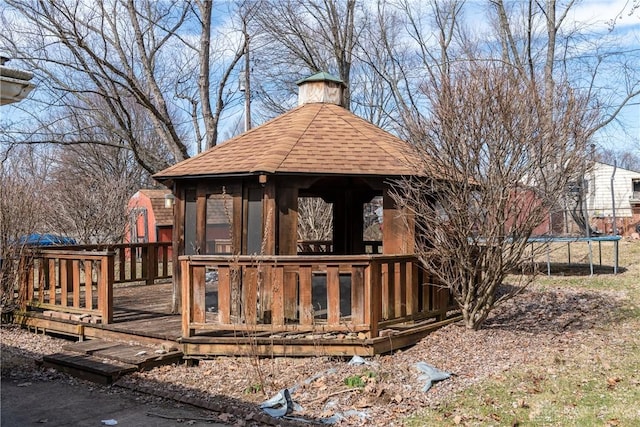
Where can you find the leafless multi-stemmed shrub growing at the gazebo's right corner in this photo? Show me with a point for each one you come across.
(496, 167)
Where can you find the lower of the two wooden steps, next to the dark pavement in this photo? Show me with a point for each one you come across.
(88, 367)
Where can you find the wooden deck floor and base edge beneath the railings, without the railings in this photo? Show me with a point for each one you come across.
(142, 314)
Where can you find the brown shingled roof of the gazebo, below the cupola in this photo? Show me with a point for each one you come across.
(315, 138)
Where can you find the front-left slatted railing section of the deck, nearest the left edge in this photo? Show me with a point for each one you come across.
(77, 282)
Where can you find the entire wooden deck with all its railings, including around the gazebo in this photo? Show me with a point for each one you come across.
(272, 306)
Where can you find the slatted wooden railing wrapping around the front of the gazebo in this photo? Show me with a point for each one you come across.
(360, 293)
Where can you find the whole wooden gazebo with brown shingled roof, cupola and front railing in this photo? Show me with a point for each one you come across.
(239, 267)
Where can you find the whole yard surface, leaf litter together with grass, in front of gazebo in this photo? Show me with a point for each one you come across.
(564, 352)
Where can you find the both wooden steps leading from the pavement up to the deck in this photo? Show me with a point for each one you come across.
(105, 361)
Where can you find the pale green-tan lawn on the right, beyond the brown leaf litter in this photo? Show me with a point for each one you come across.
(586, 382)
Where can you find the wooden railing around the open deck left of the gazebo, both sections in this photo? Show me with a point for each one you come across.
(79, 279)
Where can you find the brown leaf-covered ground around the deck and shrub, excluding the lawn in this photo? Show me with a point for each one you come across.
(381, 392)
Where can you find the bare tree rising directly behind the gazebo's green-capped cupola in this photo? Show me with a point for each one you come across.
(301, 37)
